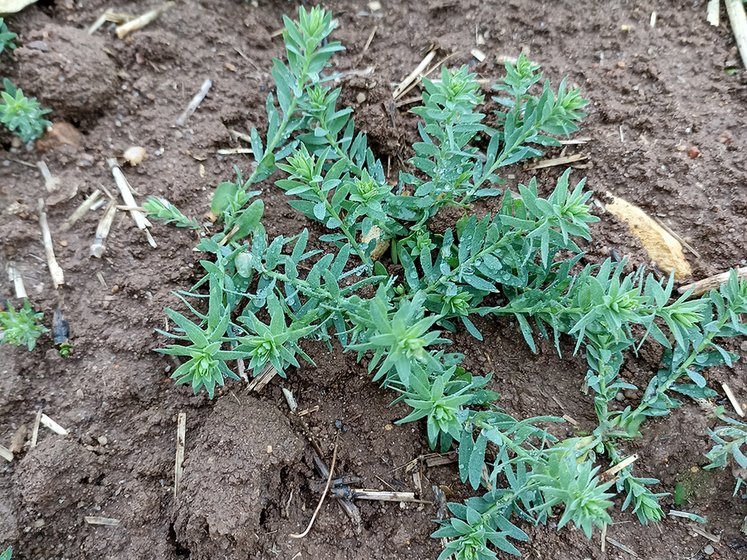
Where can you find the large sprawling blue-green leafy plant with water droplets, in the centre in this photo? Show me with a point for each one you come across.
(266, 295)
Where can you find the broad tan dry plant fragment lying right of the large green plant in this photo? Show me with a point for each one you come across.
(663, 249)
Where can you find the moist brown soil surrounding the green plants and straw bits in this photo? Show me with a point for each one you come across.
(653, 91)
